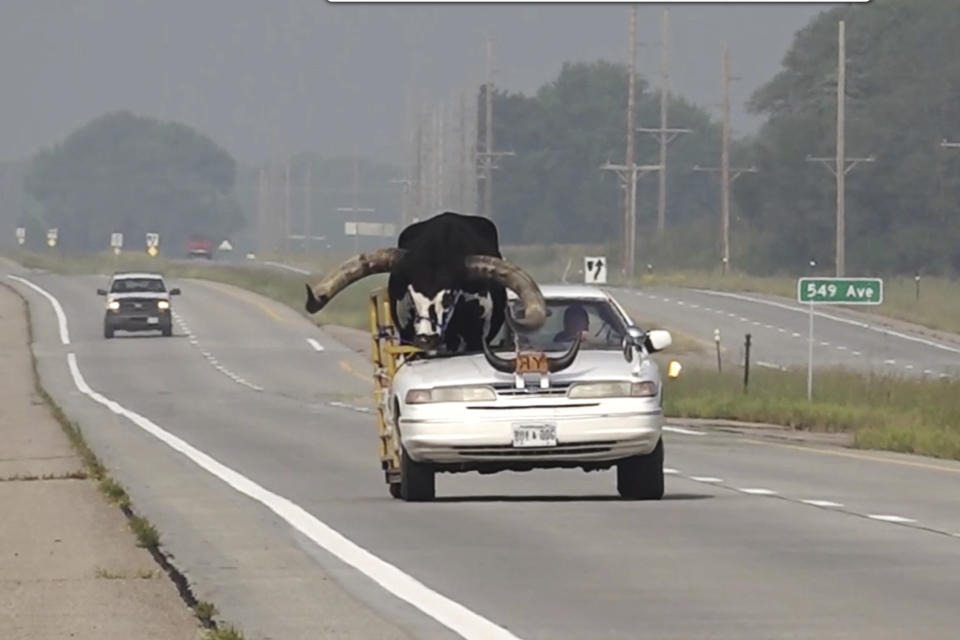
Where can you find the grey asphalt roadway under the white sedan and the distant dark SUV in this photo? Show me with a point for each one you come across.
(242, 441)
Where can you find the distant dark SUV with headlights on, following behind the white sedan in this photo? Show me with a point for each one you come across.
(137, 302)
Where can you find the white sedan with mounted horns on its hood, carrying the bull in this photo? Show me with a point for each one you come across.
(471, 413)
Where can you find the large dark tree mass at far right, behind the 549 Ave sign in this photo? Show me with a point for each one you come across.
(903, 79)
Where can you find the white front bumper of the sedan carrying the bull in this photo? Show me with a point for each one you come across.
(582, 437)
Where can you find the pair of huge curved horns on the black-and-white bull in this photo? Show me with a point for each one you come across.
(475, 267)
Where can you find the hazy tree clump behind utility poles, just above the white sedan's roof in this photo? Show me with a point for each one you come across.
(553, 189)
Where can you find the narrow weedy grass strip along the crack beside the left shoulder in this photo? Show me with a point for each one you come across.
(143, 530)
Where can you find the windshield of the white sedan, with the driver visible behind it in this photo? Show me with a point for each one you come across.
(601, 326)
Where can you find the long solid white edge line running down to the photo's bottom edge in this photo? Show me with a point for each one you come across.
(451, 614)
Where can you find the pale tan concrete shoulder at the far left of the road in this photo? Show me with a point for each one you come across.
(70, 564)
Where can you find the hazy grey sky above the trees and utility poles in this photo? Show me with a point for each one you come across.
(269, 77)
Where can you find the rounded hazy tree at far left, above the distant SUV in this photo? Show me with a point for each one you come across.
(133, 175)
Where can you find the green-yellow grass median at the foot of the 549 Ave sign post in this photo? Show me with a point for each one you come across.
(908, 415)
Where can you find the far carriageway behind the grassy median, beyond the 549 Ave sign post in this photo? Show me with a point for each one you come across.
(780, 328)
